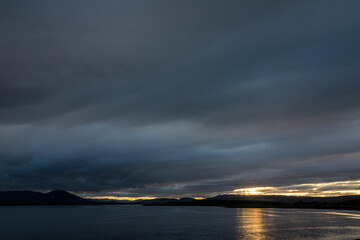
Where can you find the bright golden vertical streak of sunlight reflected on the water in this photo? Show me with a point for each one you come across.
(251, 224)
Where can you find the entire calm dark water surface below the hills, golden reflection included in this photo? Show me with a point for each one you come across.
(137, 222)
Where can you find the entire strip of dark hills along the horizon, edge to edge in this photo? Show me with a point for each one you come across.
(60, 197)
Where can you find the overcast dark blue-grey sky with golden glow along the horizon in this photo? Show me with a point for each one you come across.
(180, 98)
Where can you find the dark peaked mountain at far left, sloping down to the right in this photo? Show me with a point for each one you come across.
(56, 197)
